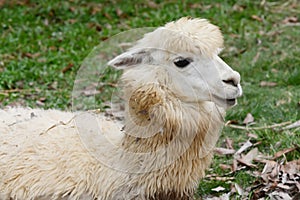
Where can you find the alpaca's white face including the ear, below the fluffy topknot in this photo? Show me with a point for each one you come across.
(192, 78)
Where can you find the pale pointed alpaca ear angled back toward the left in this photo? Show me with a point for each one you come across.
(131, 58)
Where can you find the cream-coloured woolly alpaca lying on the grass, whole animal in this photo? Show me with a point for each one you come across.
(176, 90)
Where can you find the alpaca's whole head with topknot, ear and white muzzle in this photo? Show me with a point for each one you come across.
(183, 55)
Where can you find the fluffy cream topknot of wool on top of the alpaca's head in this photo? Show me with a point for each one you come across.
(193, 35)
